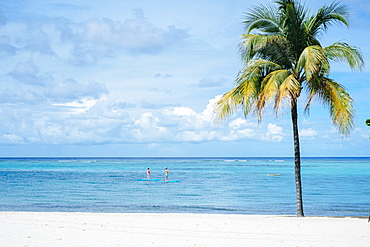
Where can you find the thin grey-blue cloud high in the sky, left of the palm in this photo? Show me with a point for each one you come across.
(103, 37)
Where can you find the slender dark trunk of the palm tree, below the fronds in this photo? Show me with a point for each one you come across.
(297, 158)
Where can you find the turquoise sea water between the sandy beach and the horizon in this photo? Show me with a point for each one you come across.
(331, 186)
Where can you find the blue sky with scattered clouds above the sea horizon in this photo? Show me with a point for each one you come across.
(138, 78)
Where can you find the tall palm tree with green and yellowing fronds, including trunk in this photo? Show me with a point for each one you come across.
(282, 58)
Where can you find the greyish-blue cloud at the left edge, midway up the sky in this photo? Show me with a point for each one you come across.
(27, 84)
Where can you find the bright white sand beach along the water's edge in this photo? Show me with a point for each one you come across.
(177, 230)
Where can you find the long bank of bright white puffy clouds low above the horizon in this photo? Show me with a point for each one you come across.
(101, 122)
